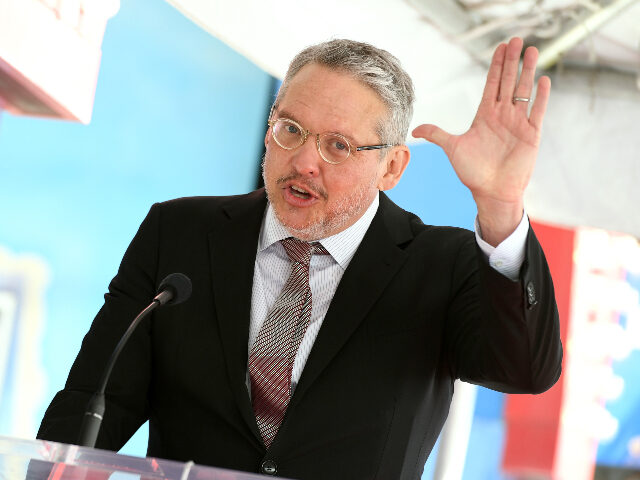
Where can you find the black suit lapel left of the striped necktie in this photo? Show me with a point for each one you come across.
(232, 247)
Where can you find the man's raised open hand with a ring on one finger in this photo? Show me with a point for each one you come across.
(496, 156)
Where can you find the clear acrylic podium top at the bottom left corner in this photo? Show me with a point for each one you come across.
(43, 460)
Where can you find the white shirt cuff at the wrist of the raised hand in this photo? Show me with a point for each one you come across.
(508, 256)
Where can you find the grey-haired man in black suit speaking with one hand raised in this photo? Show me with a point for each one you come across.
(337, 362)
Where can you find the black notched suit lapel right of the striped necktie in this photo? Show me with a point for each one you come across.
(358, 289)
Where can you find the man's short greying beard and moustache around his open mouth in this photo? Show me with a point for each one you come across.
(334, 219)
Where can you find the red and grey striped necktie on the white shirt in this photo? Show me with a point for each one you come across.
(274, 351)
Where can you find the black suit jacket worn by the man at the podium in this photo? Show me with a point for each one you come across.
(417, 308)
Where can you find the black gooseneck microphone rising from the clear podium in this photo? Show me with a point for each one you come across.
(174, 289)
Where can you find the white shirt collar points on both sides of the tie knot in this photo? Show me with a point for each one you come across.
(342, 246)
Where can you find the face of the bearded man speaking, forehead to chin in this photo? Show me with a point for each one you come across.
(312, 198)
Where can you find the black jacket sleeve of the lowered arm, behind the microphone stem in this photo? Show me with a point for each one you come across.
(131, 290)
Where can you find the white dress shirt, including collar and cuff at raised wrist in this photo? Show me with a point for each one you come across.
(272, 268)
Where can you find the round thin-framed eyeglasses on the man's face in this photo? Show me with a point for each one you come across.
(332, 147)
